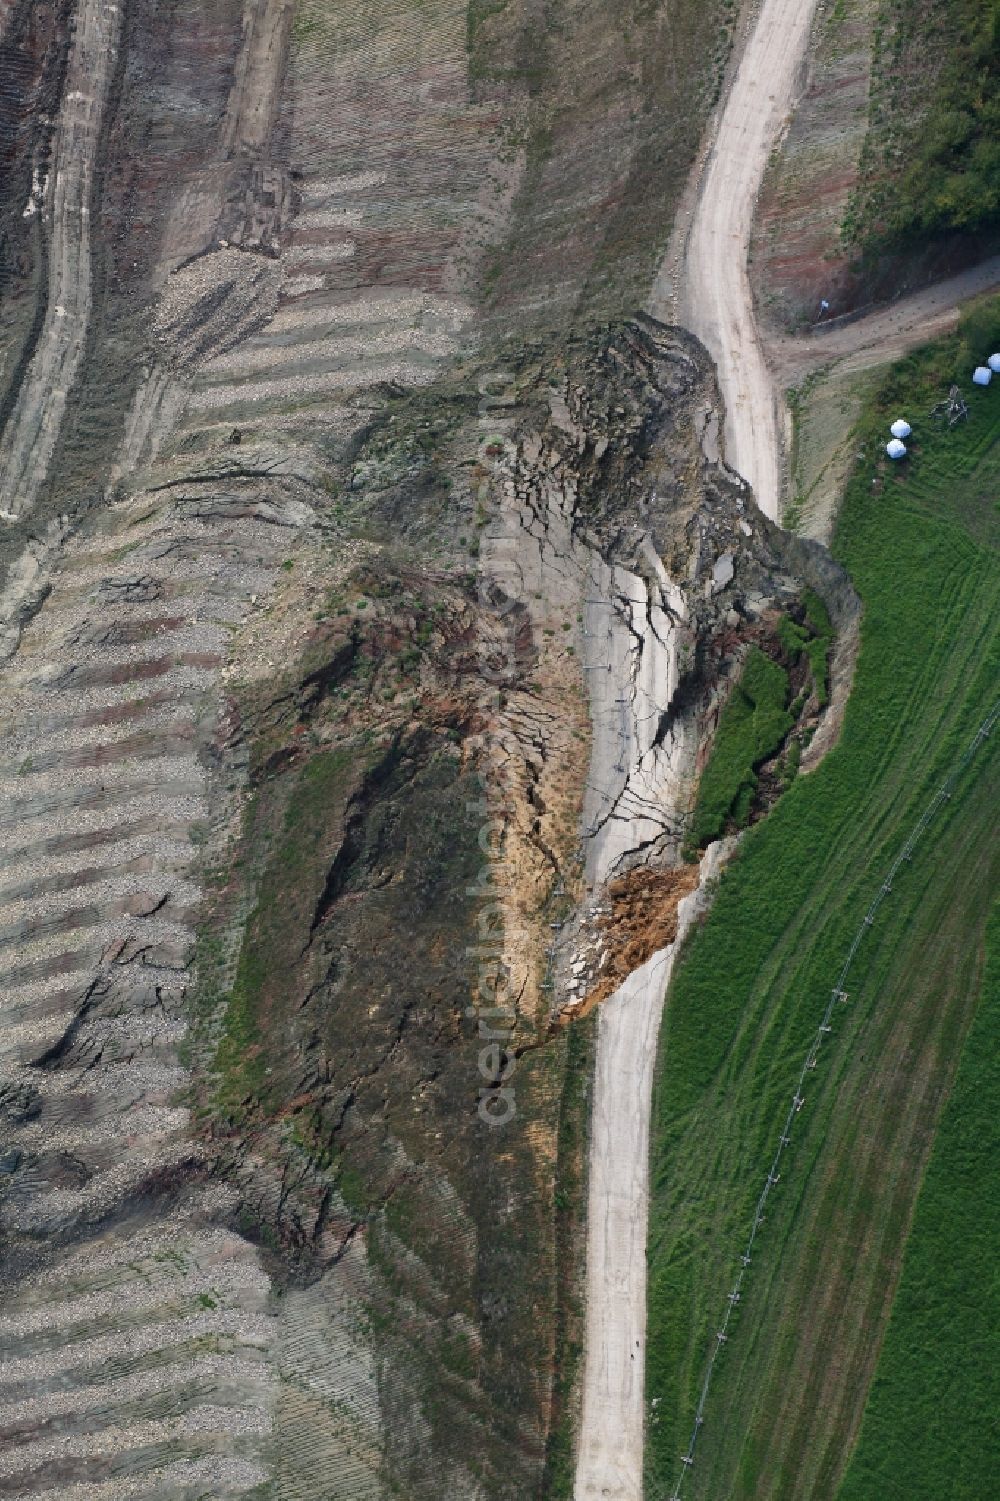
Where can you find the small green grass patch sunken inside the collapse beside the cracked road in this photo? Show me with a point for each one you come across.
(752, 727)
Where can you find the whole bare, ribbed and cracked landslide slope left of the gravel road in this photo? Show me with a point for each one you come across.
(333, 634)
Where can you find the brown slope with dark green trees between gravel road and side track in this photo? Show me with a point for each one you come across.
(885, 181)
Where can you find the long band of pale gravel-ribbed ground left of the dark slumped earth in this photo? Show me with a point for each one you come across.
(169, 1380)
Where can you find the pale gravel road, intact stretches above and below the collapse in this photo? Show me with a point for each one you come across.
(718, 307)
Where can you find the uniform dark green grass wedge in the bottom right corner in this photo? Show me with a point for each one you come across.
(938, 1388)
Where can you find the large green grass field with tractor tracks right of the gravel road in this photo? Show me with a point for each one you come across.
(792, 1383)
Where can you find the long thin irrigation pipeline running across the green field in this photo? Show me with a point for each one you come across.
(839, 994)
